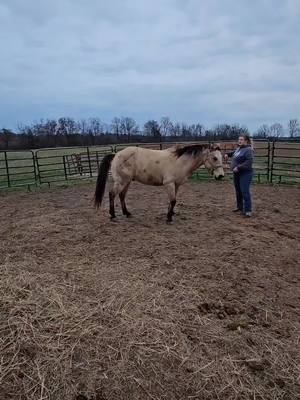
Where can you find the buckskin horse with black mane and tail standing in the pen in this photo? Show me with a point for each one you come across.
(169, 168)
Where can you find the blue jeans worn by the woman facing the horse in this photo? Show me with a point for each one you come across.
(242, 182)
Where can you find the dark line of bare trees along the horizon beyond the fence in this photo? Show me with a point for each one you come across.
(93, 131)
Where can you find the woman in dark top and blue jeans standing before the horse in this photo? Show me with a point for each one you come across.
(241, 165)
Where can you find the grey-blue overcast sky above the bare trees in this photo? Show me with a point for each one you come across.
(192, 60)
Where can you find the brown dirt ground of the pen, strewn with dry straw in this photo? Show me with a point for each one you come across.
(206, 308)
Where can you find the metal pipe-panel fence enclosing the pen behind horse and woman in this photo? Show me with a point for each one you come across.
(275, 162)
